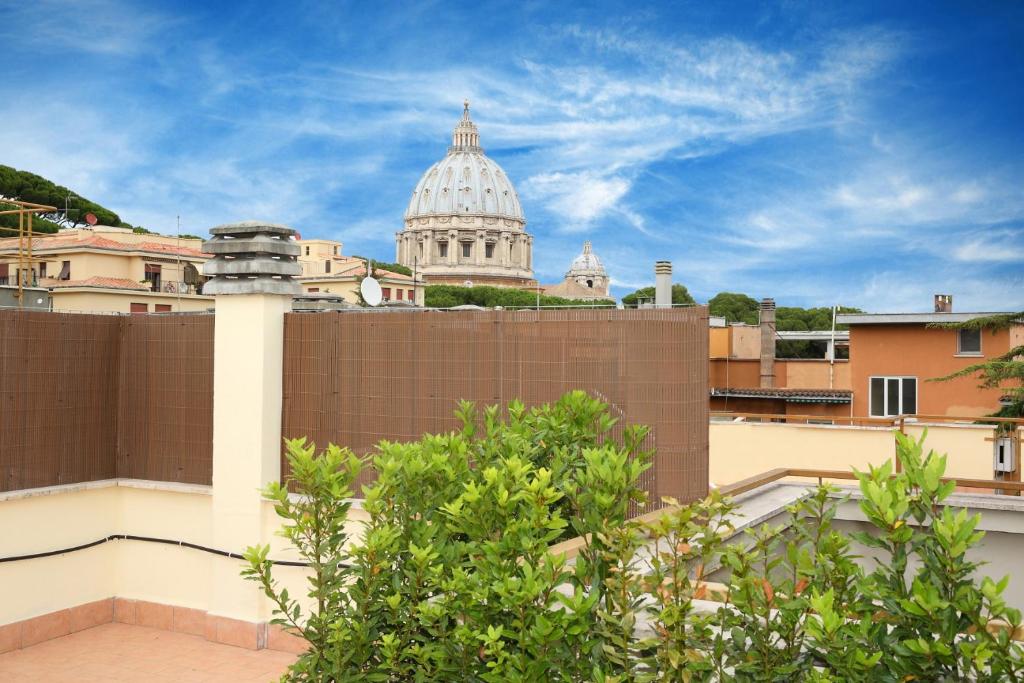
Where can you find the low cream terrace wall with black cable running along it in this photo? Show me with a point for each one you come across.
(59, 518)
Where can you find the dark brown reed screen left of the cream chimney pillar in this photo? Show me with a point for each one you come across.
(88, 398)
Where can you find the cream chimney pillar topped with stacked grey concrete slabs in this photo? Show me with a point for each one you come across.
(252, 272)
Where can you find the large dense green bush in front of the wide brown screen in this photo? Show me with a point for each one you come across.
(452, 578)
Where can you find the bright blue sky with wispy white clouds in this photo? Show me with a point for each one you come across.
(864, 154)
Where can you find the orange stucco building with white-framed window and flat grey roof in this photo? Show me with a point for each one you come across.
(893, 357)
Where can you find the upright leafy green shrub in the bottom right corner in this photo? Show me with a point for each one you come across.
(921, 608)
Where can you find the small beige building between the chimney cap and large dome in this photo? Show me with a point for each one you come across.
(326, 271)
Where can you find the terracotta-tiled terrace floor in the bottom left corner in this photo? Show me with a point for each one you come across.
(122, 653)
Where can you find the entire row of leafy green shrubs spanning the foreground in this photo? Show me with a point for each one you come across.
(453, 579)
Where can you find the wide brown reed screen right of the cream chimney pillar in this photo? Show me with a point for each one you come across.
(356, 379)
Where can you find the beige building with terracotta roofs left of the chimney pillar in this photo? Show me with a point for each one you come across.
(112, 270)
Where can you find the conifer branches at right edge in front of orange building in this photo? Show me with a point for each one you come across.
(1006, 371)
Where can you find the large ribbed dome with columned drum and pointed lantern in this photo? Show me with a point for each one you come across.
(464, 224)
